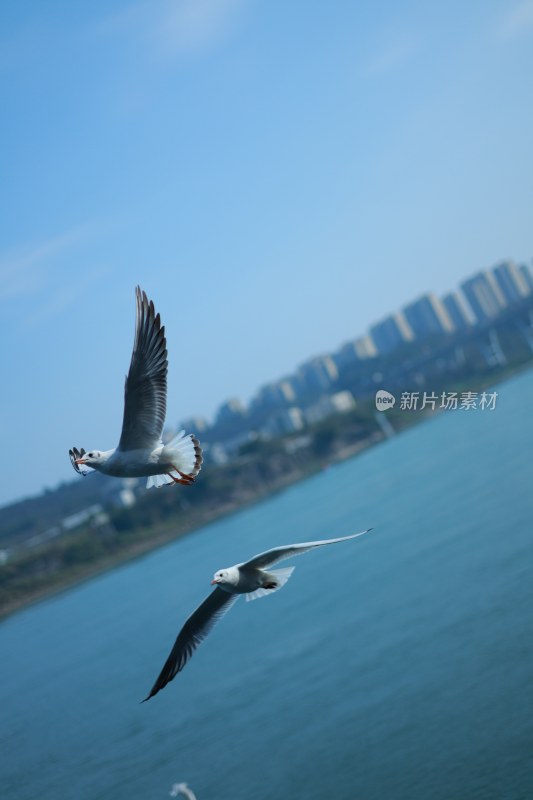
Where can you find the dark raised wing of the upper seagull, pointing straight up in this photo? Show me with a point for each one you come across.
(145, 392)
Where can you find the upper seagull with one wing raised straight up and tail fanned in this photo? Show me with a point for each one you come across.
(141, 450)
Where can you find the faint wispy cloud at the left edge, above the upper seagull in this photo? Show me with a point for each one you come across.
(22, 269)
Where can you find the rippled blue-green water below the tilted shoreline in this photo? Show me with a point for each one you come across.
(395, 666)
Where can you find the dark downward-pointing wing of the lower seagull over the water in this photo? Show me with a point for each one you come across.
(193, 634)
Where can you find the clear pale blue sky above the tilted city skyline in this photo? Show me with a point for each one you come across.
(276, 175)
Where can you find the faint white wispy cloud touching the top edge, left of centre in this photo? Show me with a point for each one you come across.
(172, 28)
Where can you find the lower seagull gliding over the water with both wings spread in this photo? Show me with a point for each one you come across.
(249, 578)
